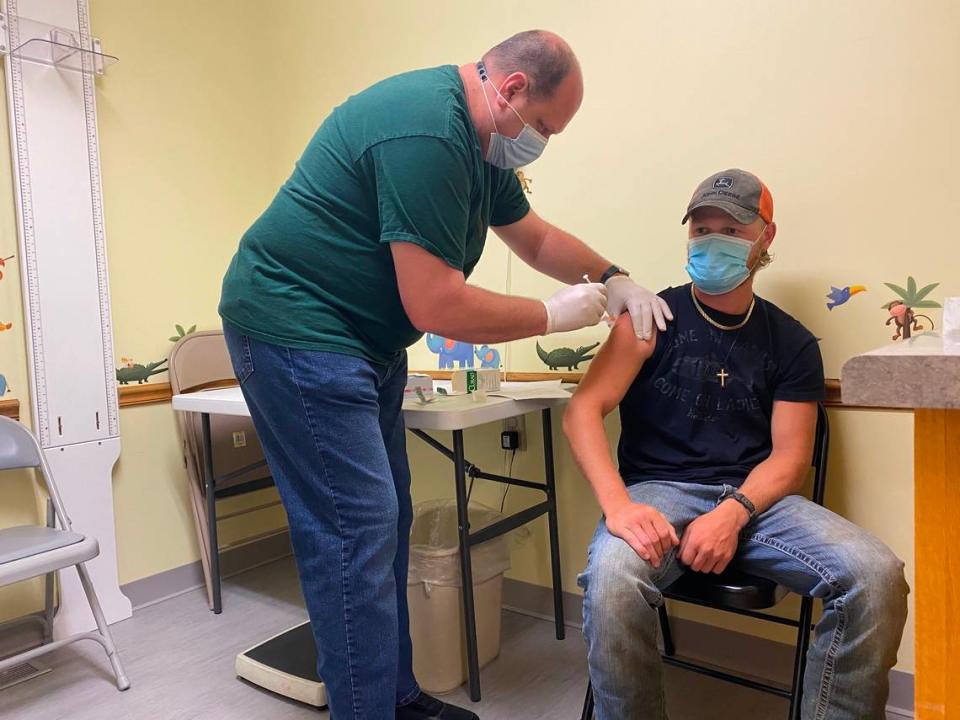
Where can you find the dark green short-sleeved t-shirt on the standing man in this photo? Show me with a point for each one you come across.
(399, 162)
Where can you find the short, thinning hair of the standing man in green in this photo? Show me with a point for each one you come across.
(545, 58)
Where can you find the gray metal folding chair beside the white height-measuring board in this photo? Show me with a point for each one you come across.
(30, 551)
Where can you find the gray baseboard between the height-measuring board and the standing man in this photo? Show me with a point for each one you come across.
(233, 560)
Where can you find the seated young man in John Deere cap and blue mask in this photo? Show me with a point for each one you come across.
(718, 417)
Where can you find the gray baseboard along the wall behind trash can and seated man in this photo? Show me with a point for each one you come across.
(736, 651)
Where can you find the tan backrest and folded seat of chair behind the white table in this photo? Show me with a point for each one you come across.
(201, 360)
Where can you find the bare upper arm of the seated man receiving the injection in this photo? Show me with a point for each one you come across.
(614, 369)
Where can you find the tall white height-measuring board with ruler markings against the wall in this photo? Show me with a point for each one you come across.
(51, 62)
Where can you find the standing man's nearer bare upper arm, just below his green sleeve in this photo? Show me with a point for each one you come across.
(424, 280)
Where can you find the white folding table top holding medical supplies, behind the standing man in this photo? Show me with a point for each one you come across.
(453, 412)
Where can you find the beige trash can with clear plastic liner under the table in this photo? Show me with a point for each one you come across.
(435, 594)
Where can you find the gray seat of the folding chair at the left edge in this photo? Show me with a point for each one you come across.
(32, 550)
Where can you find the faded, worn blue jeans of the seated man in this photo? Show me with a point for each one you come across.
(796, 543)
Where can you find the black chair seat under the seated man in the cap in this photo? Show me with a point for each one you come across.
(731, 589)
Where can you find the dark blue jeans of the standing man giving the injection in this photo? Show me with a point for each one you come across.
(332, 432)
